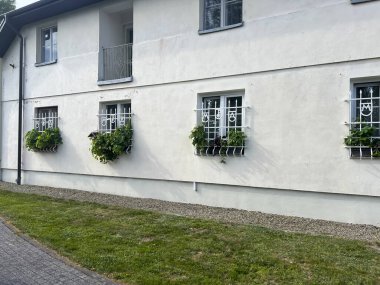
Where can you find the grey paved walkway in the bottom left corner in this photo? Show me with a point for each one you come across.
(24, 262)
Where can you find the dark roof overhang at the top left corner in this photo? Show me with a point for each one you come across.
(32, 13)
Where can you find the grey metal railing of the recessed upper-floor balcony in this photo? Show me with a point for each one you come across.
(117, 62)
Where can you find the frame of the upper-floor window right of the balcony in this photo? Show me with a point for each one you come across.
(223, 25)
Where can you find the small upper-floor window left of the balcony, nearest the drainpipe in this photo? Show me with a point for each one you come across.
(48, 45)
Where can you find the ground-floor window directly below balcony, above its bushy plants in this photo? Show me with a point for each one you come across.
(114, 115)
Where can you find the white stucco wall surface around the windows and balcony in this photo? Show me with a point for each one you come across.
(295, 61)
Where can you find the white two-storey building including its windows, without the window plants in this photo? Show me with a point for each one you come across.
(292, 75)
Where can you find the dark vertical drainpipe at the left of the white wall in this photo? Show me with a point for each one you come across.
(20, 101)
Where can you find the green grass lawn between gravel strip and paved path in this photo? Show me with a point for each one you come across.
(140, 247)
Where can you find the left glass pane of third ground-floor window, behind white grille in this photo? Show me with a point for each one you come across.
(211, 116)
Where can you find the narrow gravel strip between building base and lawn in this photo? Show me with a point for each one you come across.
(291, 224)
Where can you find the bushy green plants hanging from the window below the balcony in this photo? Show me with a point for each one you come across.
(107, 147)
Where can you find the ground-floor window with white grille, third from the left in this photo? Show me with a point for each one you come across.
(222, 117)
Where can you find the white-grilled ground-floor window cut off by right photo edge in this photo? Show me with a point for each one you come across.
(364, 138)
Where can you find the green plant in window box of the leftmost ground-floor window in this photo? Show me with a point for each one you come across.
(40, 141)
